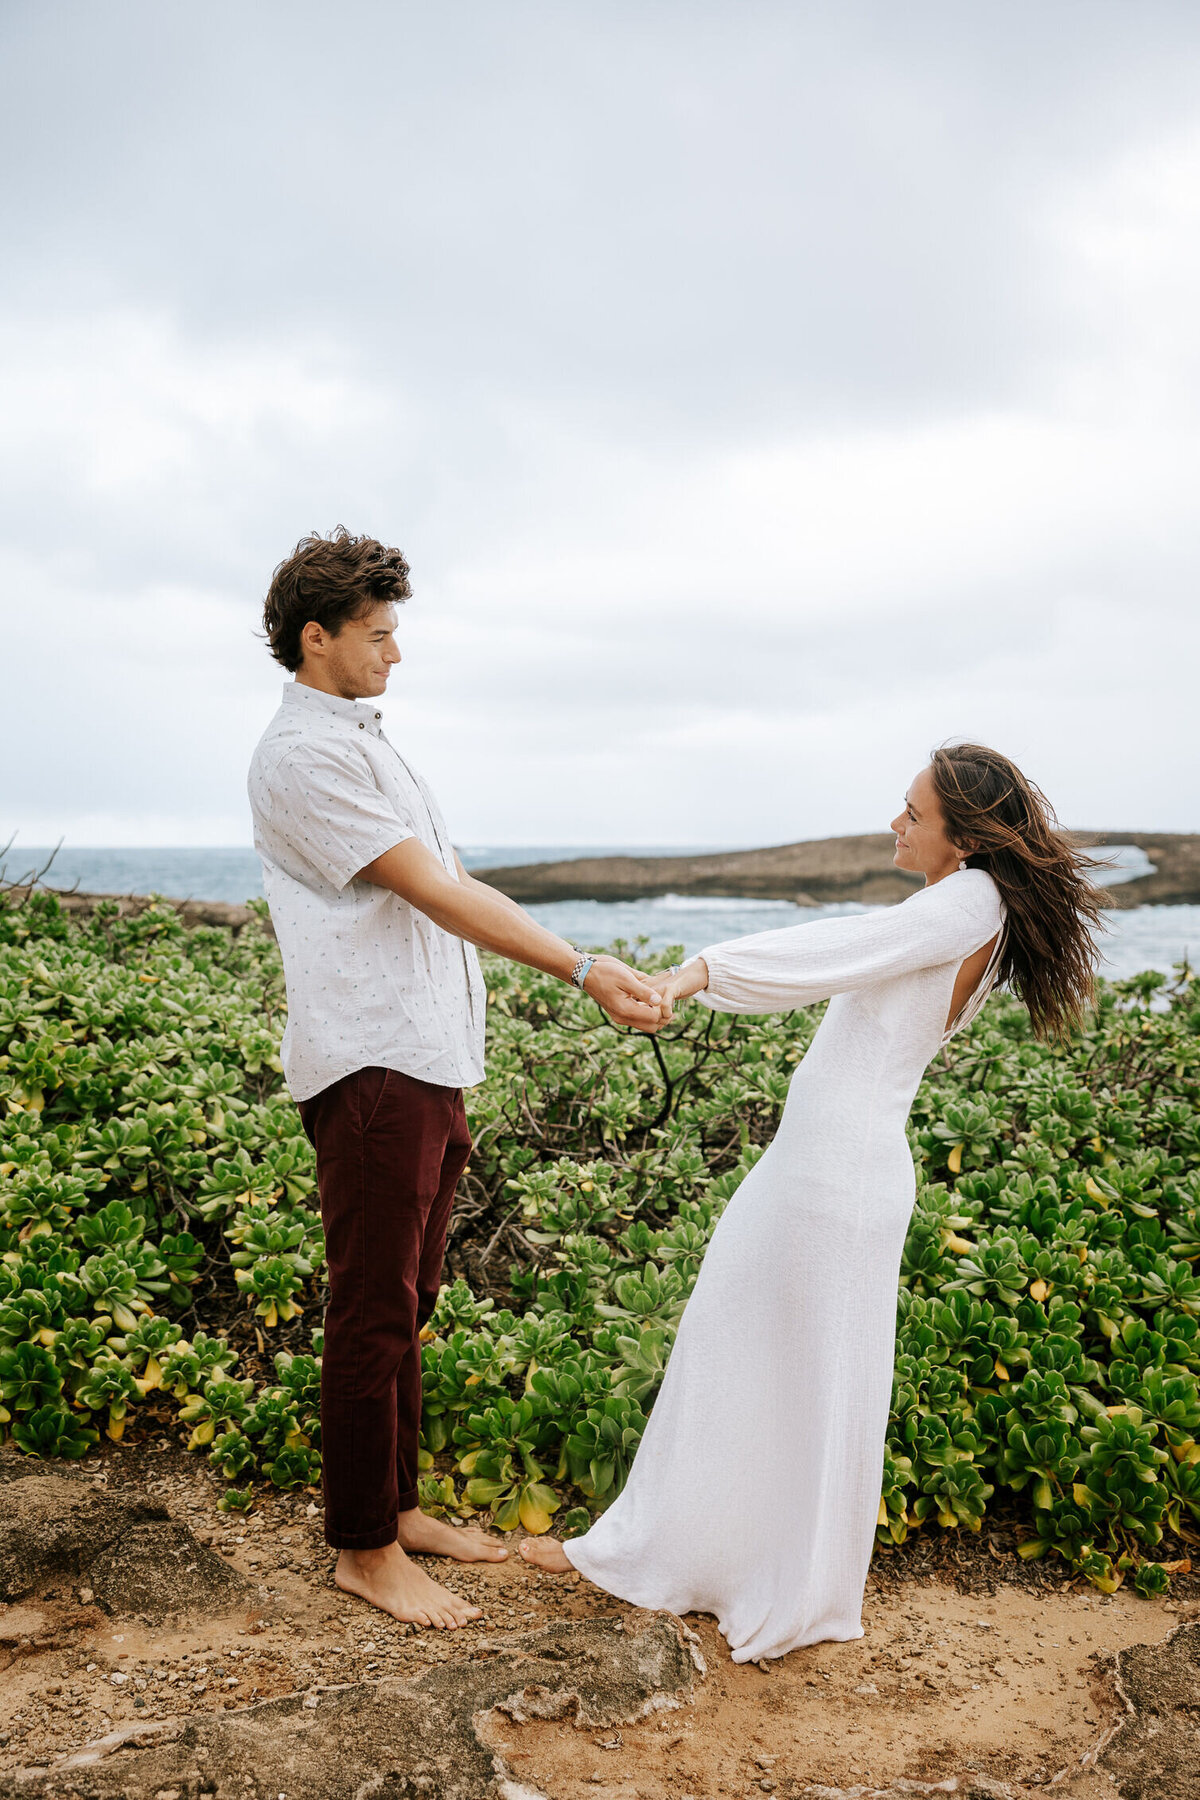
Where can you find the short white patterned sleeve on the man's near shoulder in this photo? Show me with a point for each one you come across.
(325, 807)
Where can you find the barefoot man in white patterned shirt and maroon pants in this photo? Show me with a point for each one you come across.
(377, 919)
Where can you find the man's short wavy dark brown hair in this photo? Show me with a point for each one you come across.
(330, 580)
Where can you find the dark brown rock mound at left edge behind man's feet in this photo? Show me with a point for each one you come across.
(123, 1552)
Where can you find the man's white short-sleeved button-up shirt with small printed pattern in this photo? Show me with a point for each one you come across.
(372, 980)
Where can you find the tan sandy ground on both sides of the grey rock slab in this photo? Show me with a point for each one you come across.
(1012, 1684)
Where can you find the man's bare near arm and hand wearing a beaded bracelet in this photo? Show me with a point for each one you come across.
(481, 915)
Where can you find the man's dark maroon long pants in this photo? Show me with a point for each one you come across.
(390, 1155)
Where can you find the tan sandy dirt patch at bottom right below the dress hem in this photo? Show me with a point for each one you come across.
(1001, 1696)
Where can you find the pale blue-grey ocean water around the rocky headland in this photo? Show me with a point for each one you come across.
(1149, 937)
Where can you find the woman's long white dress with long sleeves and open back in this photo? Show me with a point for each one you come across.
(757, 1488)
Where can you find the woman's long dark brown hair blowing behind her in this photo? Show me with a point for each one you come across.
(1053, 908)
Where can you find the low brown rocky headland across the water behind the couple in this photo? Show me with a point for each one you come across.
(819, 872)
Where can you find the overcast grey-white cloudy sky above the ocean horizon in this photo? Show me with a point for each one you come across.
(762, 393)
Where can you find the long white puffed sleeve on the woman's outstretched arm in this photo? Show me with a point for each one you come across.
(775, 971)
